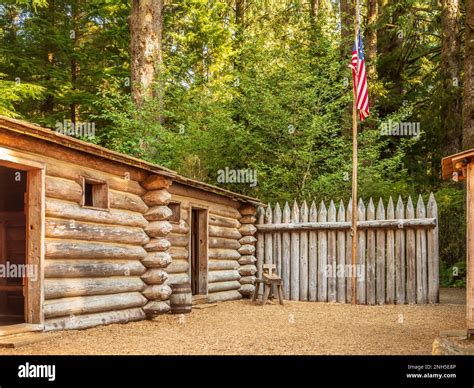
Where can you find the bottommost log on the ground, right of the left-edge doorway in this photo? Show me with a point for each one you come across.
(91, 320)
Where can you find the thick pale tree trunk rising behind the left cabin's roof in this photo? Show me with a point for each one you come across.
(146, 27)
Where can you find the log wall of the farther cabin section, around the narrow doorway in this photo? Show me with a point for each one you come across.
(231, 244)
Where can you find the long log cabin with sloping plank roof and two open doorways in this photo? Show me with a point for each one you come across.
(89, 236)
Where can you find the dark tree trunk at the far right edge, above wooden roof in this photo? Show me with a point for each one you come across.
(468, 100)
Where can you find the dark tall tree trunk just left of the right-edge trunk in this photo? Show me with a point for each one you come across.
(451, 119)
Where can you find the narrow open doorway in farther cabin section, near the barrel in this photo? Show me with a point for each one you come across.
(199, 243)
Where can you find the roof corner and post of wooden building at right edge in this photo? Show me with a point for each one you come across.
(460, 167)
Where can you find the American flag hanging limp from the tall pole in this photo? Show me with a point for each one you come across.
(359, 76)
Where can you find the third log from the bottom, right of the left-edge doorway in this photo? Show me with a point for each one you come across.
(62, 288)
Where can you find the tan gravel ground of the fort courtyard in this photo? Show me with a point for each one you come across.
(241, 327)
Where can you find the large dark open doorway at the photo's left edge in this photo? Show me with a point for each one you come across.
(13, 188)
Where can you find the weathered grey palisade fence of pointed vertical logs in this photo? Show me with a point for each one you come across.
(397, 261)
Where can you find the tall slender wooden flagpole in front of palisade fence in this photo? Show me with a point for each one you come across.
(354, 167)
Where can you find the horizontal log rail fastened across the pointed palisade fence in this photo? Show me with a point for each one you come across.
(377, 224)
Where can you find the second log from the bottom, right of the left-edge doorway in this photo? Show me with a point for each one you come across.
(92, 304)
